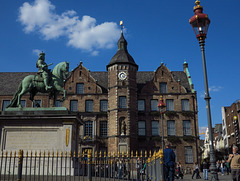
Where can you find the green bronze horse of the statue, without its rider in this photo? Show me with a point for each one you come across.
(34, 84)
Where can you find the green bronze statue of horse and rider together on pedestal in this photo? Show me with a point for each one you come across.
(45, 82)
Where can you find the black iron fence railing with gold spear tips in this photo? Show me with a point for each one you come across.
(38, 166)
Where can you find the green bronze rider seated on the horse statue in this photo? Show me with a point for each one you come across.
(43, 70)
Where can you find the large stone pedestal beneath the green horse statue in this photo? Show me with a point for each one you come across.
(39, 129)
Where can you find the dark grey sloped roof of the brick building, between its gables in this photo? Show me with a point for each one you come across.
(9, 81)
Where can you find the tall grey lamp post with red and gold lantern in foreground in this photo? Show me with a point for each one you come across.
(200, 23)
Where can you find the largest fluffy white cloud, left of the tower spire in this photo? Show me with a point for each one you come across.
(84, 33)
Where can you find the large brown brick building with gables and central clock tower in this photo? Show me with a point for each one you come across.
(119, 106)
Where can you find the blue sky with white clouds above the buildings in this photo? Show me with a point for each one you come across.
(156, 31)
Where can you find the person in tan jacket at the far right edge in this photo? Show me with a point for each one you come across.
(234, 159)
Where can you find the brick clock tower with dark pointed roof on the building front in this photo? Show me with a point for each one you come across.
(122, 100)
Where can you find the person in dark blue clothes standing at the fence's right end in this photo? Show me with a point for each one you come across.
(169, 162)
